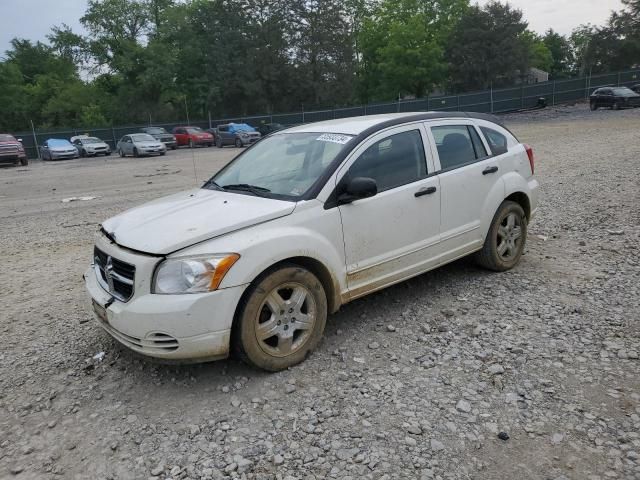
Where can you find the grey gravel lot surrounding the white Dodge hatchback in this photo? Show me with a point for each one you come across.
(458, 373)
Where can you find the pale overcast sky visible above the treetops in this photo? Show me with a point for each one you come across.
(33, 19)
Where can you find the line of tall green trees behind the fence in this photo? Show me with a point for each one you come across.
(160, 60)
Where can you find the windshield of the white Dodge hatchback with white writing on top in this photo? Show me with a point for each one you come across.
(286, 165)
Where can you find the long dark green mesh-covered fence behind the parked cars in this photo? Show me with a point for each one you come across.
(486, 101)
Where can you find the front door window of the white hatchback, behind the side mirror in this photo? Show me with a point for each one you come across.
(394, 161)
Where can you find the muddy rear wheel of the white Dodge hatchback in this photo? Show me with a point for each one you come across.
(505, 240)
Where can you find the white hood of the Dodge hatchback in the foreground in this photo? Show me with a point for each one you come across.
(183, 219)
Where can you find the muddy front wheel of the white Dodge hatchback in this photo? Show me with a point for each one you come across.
(280, 319)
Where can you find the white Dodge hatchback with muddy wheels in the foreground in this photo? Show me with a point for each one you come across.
(304, 221)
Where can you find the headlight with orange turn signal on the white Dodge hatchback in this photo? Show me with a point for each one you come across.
(192, 274)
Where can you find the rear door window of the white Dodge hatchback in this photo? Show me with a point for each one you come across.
(455, 145)
